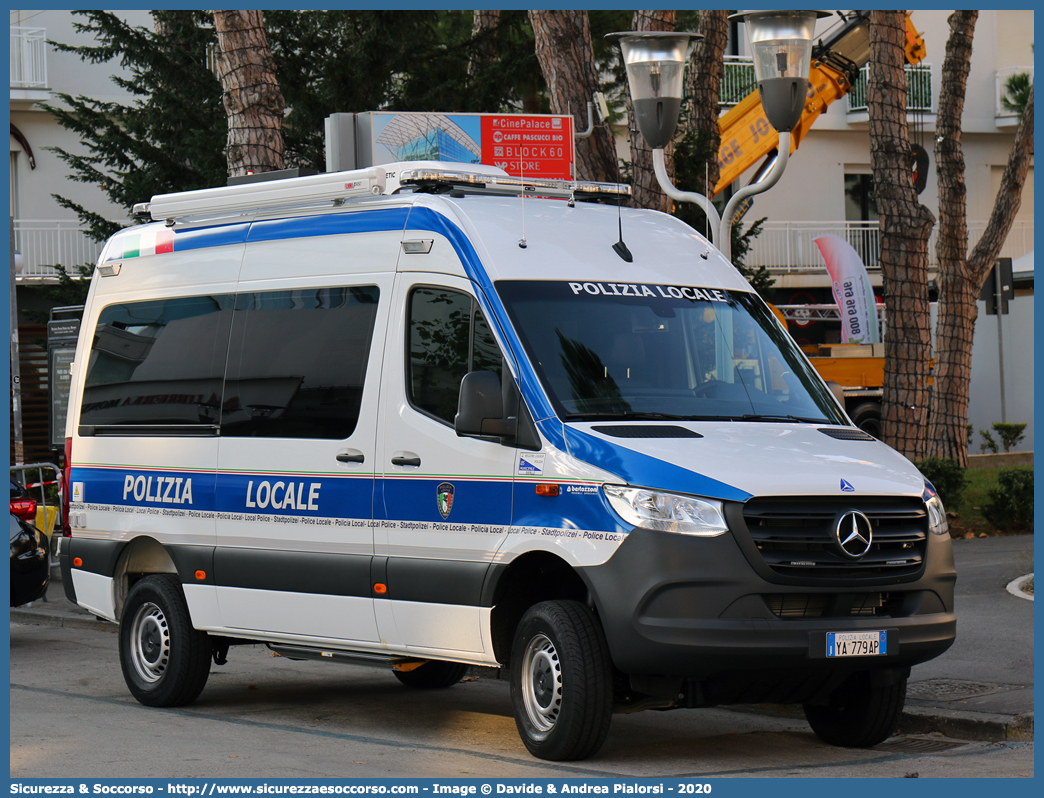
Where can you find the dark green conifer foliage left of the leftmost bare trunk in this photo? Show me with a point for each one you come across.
(170, 138)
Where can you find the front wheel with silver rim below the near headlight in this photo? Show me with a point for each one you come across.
(562, 685)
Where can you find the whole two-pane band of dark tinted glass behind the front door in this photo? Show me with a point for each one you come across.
(275, 364)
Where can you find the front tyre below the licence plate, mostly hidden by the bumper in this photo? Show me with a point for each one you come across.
(859, 715)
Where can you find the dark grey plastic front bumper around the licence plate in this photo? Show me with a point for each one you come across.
(697, 608)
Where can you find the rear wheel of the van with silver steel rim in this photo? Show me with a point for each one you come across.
(165, 661)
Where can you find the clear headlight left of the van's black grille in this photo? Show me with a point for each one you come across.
(667, 512)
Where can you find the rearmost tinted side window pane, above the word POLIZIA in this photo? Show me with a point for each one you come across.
(158, 363)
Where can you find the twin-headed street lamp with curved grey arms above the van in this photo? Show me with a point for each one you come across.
(781, 44)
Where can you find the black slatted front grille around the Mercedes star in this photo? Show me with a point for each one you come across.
(797, 536)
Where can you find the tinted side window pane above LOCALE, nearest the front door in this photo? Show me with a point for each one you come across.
(297, 363)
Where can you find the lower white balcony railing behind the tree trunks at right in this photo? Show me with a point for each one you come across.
(790, 246)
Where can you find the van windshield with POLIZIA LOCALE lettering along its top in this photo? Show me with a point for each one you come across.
(637, 353)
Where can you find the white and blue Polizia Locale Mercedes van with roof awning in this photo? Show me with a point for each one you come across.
(429, 416)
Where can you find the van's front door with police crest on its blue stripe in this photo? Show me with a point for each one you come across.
(443, 506)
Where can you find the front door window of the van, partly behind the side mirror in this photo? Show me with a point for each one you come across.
(448, 337)
